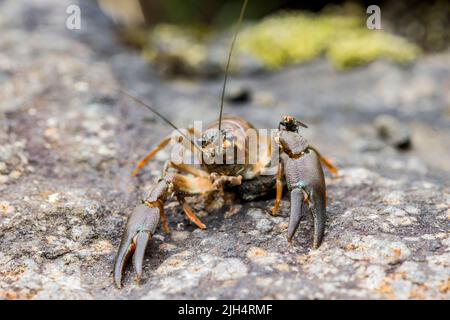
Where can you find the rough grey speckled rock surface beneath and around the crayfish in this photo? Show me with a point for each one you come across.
(68, 144)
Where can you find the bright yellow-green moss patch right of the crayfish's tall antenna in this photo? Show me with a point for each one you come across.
(298, 37)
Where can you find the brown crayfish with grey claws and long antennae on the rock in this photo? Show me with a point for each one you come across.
(226, 154)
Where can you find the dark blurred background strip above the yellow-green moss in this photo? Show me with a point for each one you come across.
(424, 22)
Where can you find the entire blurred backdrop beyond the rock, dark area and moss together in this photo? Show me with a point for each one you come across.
(279, 32)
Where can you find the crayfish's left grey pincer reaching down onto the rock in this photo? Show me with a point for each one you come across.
(140, 227)
